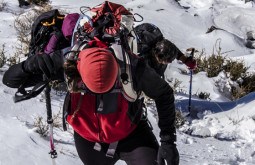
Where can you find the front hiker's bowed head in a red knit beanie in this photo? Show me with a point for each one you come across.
(98, 69)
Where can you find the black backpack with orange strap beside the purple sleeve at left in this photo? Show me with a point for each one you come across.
(45, 25)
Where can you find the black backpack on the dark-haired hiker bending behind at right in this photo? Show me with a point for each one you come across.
(148, 35)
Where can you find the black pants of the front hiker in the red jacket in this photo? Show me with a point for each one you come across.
(139, 148)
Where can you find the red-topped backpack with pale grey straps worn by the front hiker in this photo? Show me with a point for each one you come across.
(112, 24)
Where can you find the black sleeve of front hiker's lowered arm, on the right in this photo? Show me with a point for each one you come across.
(158, 89)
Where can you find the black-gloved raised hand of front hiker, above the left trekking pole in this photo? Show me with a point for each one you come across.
(44, 64)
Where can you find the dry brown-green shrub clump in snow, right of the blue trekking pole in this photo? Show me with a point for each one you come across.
(241, 83)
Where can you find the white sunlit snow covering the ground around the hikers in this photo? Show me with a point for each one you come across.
(218, 131)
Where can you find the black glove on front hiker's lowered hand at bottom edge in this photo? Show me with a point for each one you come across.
(168, 151)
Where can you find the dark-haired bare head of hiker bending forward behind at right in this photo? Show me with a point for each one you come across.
(164, 51)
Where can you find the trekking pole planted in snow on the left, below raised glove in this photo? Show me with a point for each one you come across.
(52, 152)
